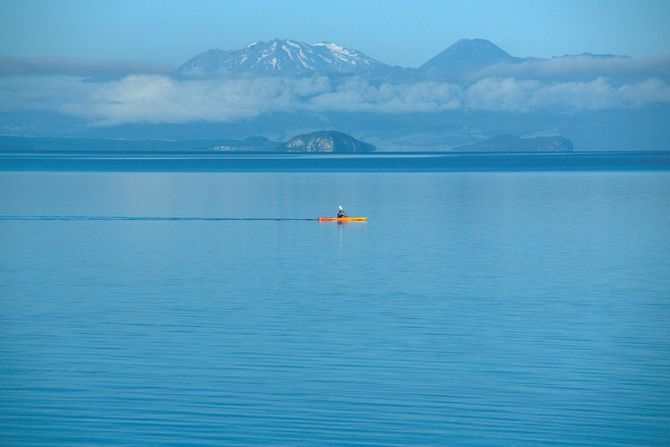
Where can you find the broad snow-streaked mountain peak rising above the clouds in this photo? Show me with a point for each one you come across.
(282, 57)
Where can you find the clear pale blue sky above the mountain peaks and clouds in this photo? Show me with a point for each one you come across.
(396, 32)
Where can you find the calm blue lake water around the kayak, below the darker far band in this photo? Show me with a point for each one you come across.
(472, 309)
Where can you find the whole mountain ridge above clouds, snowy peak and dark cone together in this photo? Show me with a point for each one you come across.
(465, 61)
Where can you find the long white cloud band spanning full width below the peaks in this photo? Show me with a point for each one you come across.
(154, 98)
